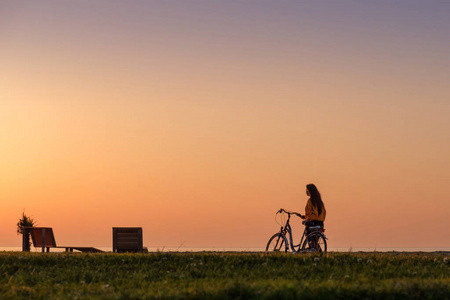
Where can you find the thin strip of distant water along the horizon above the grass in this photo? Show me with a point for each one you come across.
(219, 249)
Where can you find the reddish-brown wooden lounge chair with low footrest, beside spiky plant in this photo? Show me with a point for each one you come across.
(43, 237)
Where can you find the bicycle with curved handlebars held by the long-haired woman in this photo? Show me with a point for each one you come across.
(313, 238)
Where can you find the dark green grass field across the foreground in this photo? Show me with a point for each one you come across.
(224, 276)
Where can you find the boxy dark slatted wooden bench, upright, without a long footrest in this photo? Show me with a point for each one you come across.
(128, 239)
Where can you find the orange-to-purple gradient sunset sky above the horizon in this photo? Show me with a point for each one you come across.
(198, 120)
